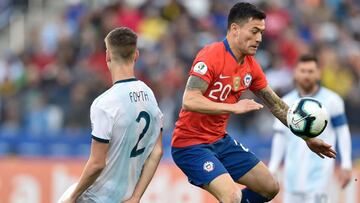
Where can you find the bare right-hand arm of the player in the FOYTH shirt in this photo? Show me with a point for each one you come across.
(148, 171)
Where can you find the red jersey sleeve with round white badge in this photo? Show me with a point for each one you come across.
(203, 66)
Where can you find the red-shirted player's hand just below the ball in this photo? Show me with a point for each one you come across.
(320, 148)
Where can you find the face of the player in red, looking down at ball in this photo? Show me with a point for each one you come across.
(249, 36)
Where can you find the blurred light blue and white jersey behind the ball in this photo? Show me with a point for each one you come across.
(304, 171)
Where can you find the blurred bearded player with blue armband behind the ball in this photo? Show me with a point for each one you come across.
(308, 180)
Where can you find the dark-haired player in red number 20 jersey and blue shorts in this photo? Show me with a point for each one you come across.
(201, 148)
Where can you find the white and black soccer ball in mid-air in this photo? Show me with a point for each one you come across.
(307, 118)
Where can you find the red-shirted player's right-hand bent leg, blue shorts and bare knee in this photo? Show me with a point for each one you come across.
(246, 169)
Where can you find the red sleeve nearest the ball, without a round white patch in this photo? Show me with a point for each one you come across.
(259, 79)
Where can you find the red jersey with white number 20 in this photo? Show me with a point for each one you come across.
(216, 64)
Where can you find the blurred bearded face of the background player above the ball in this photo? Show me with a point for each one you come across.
(307, 74)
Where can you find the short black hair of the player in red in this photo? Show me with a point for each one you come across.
(243, 11)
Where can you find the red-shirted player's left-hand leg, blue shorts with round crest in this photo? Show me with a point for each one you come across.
(204, 170)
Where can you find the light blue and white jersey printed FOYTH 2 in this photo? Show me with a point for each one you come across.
(128, 118)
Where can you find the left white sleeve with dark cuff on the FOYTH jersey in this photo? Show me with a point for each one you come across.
(101, 124)
